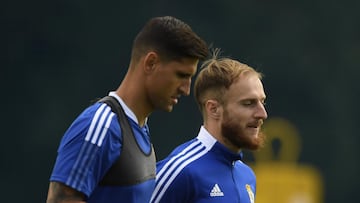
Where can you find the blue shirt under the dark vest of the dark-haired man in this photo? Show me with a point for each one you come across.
(89, 148)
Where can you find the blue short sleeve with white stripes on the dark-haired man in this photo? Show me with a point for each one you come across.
(88, 149)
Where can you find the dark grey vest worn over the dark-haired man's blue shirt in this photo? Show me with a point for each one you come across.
(133, 166)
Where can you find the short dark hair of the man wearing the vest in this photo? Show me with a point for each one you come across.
(171, 38)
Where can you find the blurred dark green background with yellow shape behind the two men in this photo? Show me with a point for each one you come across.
(57, 56)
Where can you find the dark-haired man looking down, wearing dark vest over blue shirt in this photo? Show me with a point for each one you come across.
(106, 155)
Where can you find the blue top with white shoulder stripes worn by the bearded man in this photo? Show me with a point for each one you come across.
(203, 171)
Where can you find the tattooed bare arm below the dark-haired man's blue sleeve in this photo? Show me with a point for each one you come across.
(60, 193)
